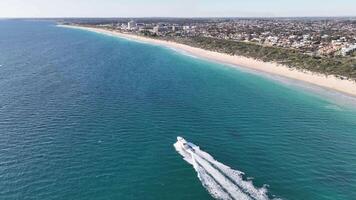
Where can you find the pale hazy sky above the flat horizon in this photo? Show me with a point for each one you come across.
(175, 8)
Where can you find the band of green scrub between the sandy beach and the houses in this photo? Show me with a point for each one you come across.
(343, 67)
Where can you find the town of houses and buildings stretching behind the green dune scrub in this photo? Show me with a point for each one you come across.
(318, 37)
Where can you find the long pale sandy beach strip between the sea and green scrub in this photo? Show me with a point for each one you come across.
(331, 82)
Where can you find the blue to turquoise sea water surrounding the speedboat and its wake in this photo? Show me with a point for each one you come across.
(88, 116)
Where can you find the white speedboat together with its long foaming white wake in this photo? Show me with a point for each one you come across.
(220, 180)
